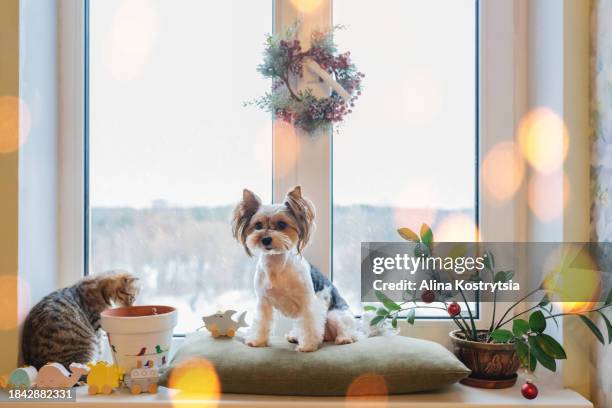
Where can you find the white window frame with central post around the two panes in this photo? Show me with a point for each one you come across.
(502, 92)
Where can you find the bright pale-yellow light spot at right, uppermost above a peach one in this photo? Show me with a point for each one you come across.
(543, 139)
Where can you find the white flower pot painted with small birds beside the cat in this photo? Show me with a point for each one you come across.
(140, 335)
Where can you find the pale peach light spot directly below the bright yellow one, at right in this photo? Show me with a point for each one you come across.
(548, 195)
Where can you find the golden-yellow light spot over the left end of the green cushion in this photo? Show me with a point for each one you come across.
(195, 380)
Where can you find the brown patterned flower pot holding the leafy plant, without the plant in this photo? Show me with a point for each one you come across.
(493, 365)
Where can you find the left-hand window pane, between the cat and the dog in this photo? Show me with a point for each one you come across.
(172, 147)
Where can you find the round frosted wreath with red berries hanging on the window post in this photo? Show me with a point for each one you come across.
(284, 59)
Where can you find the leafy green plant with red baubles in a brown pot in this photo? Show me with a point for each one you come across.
(493, 353)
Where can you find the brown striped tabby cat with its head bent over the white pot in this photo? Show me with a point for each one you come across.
(64, 326)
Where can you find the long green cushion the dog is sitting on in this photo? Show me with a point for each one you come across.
(406, 365)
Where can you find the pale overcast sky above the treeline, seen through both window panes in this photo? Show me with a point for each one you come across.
(169, 78)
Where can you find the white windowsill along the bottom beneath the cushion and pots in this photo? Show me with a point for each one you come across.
(454, 396)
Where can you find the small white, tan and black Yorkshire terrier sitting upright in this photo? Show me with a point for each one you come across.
(284, 279)
